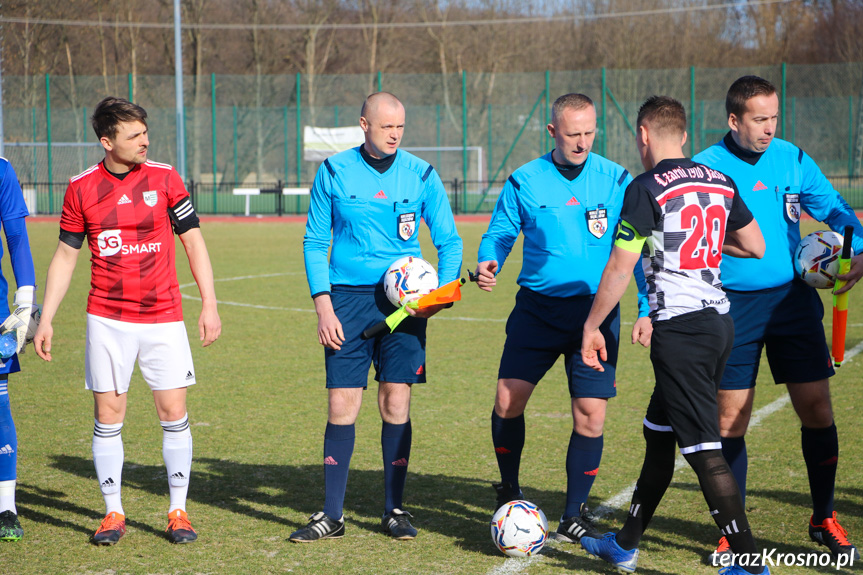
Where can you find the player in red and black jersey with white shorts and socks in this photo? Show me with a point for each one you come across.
(128, 209)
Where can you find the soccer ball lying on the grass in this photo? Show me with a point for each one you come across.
(519, 529)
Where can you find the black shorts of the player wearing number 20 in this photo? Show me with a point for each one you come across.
(688, 354)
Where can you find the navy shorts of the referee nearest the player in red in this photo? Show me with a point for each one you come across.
(398, 357)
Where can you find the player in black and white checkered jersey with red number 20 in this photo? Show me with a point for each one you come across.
(679, 217)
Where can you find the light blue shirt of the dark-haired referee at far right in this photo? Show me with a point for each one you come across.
(783, 181)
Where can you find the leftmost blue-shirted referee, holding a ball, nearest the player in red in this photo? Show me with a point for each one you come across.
(367, 202)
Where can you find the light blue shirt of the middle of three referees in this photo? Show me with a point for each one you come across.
(568, 226)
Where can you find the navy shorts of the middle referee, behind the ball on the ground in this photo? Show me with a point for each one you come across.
(541, 328)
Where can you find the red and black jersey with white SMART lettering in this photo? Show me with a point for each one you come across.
(133, 274)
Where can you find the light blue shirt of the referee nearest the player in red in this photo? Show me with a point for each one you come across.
(372, 219)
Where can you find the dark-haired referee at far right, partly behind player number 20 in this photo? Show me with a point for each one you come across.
(771, 308)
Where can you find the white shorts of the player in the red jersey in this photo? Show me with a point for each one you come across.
(162, 351)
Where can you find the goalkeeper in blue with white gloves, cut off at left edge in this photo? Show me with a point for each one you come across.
(23, 323)
